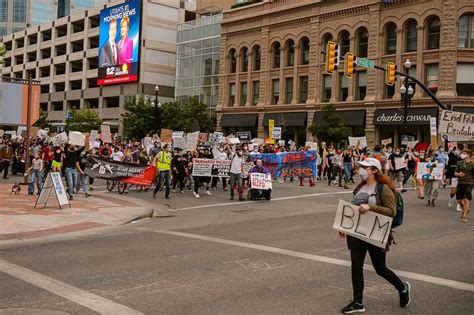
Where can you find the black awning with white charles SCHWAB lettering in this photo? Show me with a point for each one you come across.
(394, 117)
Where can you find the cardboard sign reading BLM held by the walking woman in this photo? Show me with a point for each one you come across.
(371, 227)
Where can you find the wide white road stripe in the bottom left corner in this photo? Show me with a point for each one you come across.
(71, 293)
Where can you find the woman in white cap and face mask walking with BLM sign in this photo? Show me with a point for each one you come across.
(366, 197)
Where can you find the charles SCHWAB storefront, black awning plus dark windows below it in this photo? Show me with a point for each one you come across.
(389, 124)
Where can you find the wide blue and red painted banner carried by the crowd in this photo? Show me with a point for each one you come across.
(289, 164)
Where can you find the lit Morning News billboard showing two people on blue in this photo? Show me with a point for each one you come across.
(119, 43)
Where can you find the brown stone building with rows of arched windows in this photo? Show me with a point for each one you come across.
(272, 66)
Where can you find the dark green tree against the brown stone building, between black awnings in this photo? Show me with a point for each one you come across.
(333, 130)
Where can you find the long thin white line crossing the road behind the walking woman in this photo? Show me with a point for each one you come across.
(340, 262)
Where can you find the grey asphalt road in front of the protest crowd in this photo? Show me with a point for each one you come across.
(221, 257)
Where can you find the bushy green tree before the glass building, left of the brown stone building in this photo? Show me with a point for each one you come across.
(190, 115)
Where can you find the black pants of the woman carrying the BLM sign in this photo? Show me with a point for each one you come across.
(359, 249)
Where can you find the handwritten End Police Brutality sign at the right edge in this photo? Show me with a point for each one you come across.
(456, 124)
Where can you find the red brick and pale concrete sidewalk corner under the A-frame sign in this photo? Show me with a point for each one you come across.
(19, 219)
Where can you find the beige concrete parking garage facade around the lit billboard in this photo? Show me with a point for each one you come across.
(63, 56)
